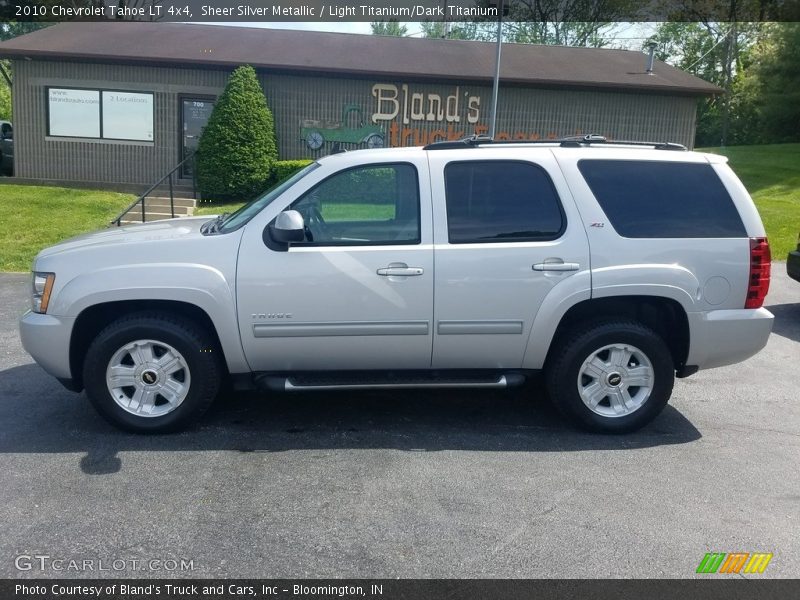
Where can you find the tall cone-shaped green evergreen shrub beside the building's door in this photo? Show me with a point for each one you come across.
(238, 147)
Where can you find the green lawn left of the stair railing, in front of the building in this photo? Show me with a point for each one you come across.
(36, 217)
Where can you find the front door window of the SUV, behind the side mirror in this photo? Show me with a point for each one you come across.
(374, 204)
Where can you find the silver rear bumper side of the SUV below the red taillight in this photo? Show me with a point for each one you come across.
(726, 337)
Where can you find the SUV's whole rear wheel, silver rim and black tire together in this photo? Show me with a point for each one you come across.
(611, 377)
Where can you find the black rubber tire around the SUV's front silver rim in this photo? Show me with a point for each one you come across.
(195, 346)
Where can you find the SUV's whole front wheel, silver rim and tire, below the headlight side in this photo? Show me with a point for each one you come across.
(152, 373)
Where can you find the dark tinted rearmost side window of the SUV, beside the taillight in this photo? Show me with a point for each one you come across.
(645, 199)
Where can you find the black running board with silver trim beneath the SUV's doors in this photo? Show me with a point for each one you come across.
(323, 383)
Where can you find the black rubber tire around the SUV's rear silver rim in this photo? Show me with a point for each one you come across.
(564, 367)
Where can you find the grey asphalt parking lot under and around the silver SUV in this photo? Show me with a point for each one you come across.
(411, 484)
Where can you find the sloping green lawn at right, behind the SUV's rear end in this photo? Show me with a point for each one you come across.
(772, 176)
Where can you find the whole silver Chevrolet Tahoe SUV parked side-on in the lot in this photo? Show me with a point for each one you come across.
(609, 267)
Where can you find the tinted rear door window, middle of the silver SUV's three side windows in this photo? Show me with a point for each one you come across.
(495, 201)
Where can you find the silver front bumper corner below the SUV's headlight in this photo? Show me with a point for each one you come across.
(46, 339)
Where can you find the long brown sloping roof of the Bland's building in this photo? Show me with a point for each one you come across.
(360, 55)
